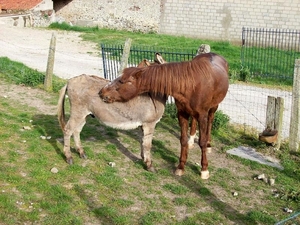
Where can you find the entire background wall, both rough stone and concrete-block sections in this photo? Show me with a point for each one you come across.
(214, 19)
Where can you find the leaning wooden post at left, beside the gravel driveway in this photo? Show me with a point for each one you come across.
(50, 64)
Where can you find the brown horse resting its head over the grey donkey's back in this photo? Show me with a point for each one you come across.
(198, 87)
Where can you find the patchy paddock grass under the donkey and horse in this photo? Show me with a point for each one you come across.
(90, 191)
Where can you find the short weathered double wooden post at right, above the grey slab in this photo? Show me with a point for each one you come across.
(274, 117)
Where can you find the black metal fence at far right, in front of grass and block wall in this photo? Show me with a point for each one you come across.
(270, 53)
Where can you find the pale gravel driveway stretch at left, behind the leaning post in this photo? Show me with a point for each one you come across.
(30, 46)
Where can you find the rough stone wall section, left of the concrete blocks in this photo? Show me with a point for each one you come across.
(133, 15)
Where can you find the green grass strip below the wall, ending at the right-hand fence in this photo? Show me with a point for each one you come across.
(176, 43)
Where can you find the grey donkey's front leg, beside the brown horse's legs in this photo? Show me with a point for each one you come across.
(148, 130)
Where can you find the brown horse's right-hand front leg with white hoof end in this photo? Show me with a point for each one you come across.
(203, 139)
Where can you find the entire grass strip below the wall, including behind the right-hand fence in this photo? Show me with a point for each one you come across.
(231, 51)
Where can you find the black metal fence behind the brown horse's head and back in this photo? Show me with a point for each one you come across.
(112, 54)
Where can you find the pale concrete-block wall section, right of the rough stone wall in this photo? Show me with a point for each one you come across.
(224, 19)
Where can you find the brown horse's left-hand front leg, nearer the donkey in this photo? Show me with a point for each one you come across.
(184, 124)
